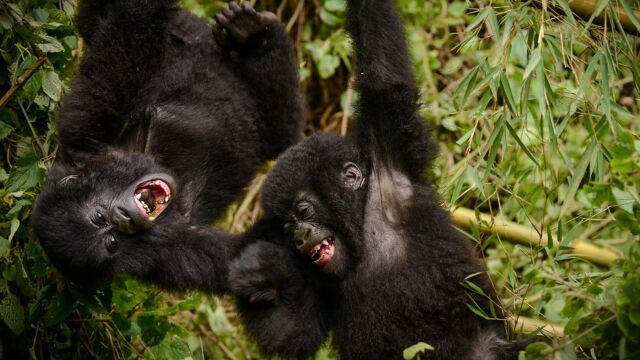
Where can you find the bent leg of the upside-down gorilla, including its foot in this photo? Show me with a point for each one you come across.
(267, 62)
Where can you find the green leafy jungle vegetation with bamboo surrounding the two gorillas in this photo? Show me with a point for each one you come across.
(536, 107)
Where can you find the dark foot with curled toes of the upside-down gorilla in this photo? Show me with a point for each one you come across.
(239, 23)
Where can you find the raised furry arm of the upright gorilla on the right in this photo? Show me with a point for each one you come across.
(387, 119)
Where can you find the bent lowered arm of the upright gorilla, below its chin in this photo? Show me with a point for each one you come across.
(278, 299)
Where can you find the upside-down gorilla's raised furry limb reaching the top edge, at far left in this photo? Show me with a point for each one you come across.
(124, 39)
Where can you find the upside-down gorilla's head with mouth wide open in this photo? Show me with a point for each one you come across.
(89, 216)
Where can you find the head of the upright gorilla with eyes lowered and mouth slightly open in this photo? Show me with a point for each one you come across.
(318, 190)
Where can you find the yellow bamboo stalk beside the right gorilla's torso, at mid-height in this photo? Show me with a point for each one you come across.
(528, 236)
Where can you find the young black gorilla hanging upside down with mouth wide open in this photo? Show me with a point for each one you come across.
(164, 126)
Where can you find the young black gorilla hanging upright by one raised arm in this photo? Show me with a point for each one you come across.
(354, 239)
